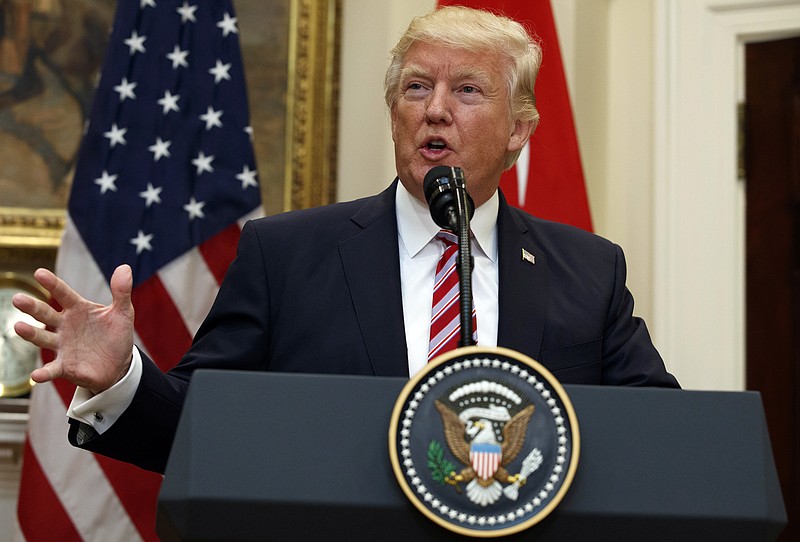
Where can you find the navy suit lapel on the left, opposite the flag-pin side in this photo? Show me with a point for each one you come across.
(372, 268)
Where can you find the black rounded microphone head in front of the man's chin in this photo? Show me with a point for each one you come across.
(441, 186)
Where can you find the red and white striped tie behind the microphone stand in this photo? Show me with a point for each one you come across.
(446, 306)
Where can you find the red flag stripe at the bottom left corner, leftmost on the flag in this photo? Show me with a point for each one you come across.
(39, 511)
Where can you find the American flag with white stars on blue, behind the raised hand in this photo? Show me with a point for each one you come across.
(164, 180)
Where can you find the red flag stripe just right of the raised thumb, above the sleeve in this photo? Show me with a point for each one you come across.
(159, 324)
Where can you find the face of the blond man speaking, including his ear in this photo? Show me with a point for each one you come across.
(453, 109)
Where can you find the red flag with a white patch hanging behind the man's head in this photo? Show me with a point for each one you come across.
(547, 180)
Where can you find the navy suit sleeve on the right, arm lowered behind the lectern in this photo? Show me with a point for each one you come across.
(629, 357)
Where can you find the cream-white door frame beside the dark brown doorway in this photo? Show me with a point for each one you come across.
(699, 203)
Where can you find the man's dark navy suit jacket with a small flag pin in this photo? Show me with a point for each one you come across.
(318, 291)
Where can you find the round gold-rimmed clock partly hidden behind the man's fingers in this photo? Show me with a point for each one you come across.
(18, 357)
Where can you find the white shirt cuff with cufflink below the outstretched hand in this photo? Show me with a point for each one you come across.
(102, 410)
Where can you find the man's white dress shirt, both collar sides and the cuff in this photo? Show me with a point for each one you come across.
(419, 253)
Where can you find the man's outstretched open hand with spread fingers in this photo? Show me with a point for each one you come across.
(93, 343)
